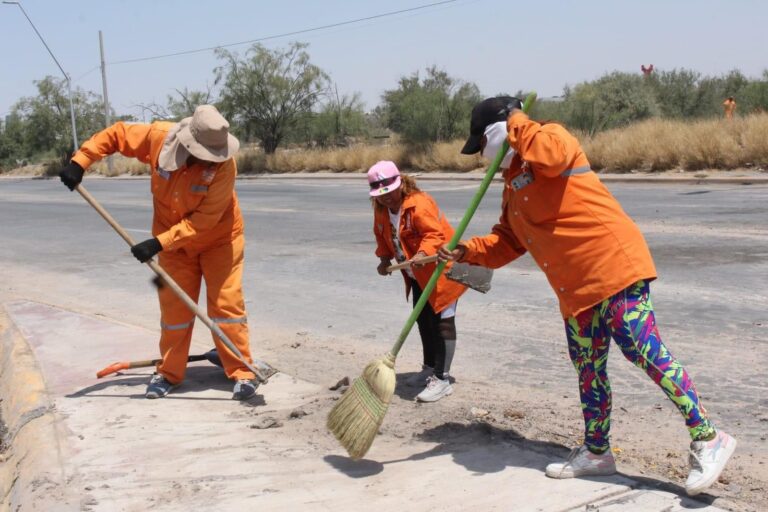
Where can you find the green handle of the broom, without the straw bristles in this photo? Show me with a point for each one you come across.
(489, 174)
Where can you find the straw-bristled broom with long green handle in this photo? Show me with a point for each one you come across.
(357, 416)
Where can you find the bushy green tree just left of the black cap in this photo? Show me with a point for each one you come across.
(434, 109)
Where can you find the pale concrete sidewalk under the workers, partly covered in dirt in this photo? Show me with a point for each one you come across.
(77, 443)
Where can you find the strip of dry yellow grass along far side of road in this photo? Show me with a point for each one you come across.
(653, 145)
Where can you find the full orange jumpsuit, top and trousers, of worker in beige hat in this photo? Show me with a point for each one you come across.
(198, 222)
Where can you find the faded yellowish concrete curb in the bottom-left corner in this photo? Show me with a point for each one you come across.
(32, 472)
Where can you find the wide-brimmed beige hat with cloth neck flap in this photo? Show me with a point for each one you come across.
(205, 135)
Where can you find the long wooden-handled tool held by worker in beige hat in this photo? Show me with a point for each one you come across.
(260, 369)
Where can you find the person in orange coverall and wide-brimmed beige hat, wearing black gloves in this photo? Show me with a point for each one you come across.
(197, 230)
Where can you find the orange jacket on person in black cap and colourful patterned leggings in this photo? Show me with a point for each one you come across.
(555, 207)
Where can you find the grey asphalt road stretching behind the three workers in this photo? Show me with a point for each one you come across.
(310, 268)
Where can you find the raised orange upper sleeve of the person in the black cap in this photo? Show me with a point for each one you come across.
(549, 149)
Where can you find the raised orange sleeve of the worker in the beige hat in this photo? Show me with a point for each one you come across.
(131, 140)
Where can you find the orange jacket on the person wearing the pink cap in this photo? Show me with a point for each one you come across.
(423, 228)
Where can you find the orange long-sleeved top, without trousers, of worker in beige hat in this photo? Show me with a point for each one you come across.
(194, 207)
